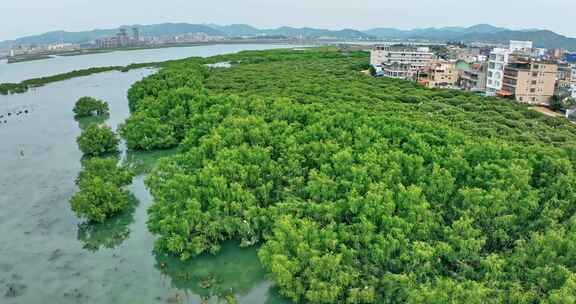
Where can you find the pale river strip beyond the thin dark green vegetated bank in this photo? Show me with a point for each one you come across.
(17, 72)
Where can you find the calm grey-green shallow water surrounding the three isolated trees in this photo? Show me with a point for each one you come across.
(47, 255)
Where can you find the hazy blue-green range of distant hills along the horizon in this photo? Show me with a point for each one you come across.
(476, 33)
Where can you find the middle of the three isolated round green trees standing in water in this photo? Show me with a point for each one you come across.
(97, 140)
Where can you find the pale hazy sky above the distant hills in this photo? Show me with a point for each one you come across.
(27, 17)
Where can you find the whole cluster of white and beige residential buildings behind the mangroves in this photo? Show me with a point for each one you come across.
(518, 71)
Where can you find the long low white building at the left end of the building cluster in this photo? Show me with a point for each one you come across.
(416, 58)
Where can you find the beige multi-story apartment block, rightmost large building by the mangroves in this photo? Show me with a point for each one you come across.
(529, 81)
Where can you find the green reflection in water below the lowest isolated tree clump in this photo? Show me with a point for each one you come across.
(110, 234)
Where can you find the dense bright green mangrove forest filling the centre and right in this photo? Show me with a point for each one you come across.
(365, 190)
